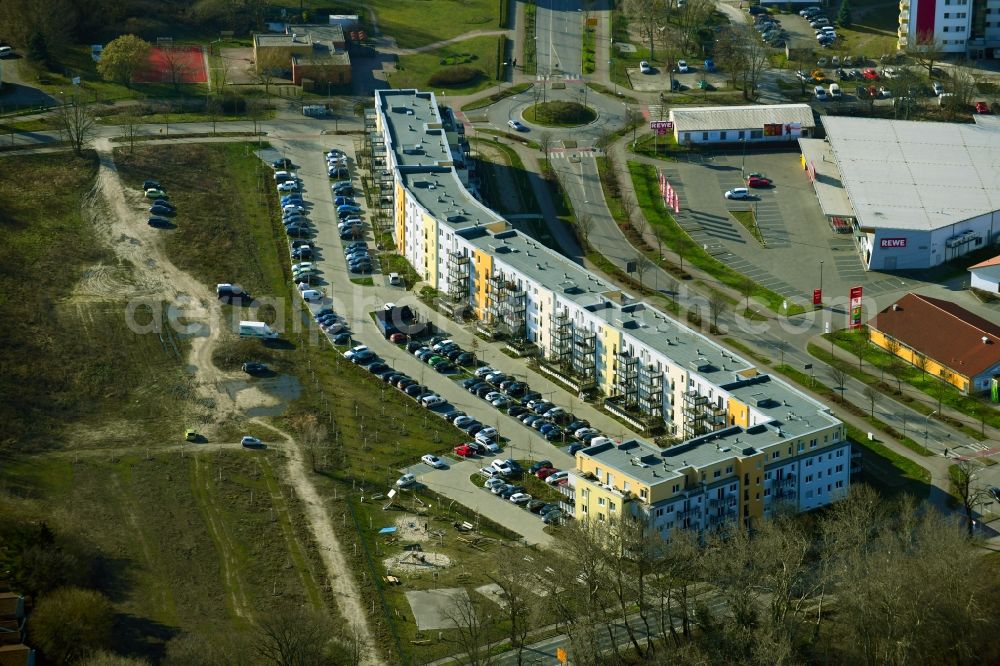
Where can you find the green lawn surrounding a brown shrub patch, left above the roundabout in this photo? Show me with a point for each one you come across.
(415, 71)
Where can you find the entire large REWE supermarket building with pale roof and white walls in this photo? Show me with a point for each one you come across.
(914, 194)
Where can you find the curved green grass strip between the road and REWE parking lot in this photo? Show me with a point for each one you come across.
(647, 190)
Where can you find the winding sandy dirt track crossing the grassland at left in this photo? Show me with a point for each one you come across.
(118, 214)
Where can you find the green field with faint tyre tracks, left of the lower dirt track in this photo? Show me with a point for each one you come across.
(199, 543)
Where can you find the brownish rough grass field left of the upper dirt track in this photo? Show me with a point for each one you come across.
(70, 332)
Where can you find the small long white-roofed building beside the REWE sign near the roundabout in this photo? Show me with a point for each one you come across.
(756, 123)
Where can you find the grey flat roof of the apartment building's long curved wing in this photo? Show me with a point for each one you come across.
(424, 158)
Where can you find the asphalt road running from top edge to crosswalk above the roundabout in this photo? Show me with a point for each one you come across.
(558, 36)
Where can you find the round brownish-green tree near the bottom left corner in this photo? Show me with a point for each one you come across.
(71, 624)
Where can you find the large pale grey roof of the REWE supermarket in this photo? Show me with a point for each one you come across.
(903, 174)
